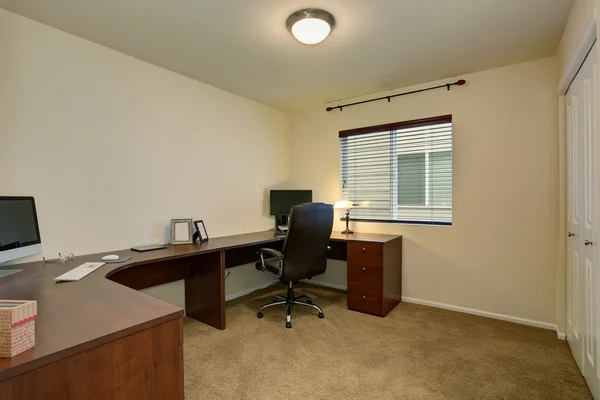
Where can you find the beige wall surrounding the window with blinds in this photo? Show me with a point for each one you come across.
(499, 255)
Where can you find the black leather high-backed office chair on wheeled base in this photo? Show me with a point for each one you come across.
(304, 254)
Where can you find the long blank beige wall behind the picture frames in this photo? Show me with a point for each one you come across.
(112, 147)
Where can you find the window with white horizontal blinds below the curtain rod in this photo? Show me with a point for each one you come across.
(399, 172)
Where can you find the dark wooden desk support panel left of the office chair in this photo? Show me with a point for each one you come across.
(205, 289)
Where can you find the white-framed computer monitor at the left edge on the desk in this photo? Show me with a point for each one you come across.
(19, 229)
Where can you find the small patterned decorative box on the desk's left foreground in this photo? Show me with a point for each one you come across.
(17, 326)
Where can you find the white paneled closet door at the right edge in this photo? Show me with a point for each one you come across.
(583, 278)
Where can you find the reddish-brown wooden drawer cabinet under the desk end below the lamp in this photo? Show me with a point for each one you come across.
(374, 276)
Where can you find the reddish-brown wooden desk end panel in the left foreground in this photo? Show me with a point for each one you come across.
(144, 365)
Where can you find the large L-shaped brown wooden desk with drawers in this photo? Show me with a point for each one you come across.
(98, 339)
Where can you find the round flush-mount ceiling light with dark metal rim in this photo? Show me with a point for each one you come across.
(310, 25)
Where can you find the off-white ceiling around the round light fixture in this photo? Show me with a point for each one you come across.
(243, 46)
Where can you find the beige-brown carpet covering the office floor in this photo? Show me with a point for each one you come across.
(416, 352)
